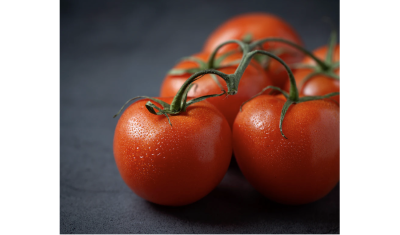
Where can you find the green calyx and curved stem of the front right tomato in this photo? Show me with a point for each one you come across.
(293, 96)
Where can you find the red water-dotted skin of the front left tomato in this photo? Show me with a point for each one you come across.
(175, 165)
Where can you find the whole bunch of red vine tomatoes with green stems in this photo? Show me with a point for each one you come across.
(280, 118)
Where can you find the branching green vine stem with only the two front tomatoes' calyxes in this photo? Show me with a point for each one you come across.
(179, 102)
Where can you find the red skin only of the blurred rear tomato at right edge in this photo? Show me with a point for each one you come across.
(318, 85)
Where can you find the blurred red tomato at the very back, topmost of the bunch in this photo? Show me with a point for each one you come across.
(260, 26)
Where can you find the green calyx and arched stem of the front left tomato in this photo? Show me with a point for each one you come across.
(180, 102)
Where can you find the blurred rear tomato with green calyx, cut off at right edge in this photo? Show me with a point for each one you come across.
(319, 74)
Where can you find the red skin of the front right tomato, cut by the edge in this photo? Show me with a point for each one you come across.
(298, 170)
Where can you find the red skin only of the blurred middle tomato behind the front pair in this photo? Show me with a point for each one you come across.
(252, 82)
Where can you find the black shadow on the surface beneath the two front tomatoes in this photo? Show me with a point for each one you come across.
(235, 201)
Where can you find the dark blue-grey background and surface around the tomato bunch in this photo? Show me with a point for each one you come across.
(111, 51)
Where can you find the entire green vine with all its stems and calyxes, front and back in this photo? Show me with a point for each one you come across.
(180, 103)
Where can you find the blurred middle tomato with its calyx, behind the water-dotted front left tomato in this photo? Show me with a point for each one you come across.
(253, 80)
